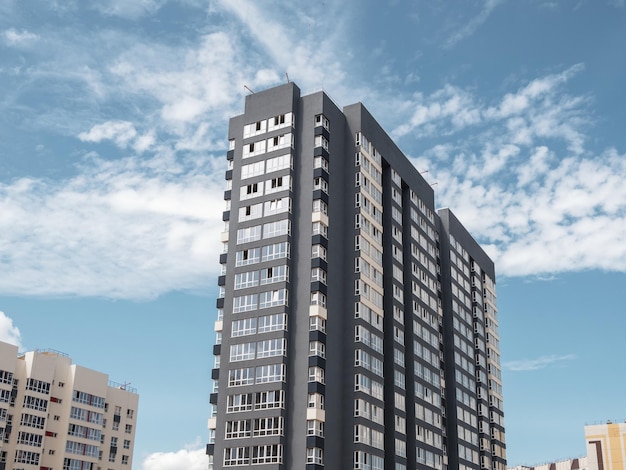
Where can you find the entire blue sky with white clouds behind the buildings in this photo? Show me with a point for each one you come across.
(113, 119)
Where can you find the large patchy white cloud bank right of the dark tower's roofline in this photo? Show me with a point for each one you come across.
(522, 180)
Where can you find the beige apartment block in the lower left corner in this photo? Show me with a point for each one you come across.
(55, 415)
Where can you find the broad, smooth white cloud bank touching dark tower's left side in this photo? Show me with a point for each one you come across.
(131, 228)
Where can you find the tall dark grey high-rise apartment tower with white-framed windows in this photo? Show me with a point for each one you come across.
(357, 327)
